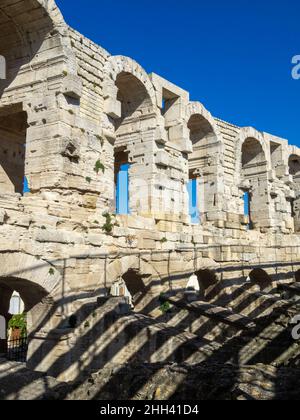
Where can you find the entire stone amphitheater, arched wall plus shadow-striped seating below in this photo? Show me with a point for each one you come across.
(155, 246)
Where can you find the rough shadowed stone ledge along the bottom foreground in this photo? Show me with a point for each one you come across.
(157, 382)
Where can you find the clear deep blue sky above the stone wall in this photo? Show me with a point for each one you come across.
(234, 56)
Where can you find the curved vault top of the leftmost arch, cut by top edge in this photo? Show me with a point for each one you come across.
(24, 28)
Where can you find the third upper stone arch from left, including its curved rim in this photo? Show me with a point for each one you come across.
(205, 161)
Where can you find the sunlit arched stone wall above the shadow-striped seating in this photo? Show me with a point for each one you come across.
(70, 116)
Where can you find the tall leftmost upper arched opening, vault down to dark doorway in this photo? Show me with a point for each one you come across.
(24, 27)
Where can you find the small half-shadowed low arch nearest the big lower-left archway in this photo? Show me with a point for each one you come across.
(131, 286)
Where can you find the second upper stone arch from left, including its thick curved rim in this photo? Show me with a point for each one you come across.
(131, 121)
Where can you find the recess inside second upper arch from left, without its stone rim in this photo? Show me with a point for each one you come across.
(130, 159)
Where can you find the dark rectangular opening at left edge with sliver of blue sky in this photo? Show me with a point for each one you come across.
(13, 128)
